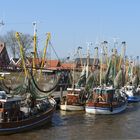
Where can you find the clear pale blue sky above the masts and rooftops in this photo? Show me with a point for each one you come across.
(74, 23)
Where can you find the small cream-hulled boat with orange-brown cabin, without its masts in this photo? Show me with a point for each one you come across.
(74, 100)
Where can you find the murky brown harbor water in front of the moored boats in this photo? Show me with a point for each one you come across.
(83, 126)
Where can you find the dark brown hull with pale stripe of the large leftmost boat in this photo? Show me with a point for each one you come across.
(27, 124)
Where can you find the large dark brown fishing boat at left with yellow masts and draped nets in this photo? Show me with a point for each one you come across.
(25, 107)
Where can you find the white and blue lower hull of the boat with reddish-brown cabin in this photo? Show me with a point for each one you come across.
(105, 110)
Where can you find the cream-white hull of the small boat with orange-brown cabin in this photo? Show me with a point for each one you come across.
(66, 107)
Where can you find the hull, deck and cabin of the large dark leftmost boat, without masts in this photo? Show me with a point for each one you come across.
(15, 117)
